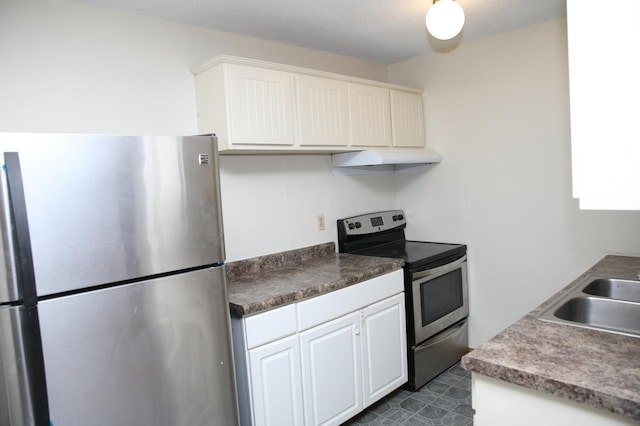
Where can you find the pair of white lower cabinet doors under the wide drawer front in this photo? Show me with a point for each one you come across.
(353, 361)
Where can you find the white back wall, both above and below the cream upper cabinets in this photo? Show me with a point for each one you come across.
(72, 68)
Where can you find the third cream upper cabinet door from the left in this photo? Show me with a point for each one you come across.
(370, 113)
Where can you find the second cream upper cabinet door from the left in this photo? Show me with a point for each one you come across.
(322, 111)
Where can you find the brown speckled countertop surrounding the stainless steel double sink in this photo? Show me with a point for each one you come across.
(592, 367)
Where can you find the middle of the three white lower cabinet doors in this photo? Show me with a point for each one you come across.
(332, 371)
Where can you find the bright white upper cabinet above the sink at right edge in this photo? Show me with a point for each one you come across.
(604, 92)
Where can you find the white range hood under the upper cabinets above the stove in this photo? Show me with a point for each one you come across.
(385, 156)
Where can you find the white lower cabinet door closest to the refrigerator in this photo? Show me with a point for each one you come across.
(276, 386)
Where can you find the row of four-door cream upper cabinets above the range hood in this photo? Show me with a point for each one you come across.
(256, 106)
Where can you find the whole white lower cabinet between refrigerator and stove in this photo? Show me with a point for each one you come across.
(323, 360)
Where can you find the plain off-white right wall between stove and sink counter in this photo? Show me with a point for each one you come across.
(498, 111)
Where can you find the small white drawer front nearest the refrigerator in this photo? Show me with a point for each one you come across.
(269, 326)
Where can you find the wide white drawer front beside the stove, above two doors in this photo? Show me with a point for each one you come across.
(329, 306)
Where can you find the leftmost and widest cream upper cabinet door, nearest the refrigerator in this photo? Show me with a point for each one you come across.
(260, 106)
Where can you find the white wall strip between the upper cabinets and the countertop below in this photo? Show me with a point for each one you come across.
(274, 201)
